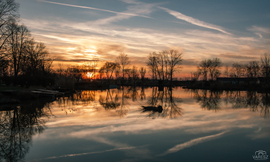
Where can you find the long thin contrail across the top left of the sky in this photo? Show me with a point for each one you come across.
(92, 8)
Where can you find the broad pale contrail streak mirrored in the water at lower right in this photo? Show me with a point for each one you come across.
(192, 142)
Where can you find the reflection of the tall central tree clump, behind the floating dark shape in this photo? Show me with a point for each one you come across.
(165, 100)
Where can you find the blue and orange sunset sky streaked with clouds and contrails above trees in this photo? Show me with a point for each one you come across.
(75, 31)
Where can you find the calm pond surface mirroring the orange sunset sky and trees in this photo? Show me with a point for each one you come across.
(112, 125)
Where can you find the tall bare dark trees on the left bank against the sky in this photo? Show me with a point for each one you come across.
(20, 54)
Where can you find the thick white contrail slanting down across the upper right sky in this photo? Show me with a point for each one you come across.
(194, 21)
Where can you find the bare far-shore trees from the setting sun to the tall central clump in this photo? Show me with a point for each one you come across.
(162, 66)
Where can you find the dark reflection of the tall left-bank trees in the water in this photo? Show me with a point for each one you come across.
(18, 126)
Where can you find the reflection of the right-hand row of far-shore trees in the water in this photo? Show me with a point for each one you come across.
(211, 100)
